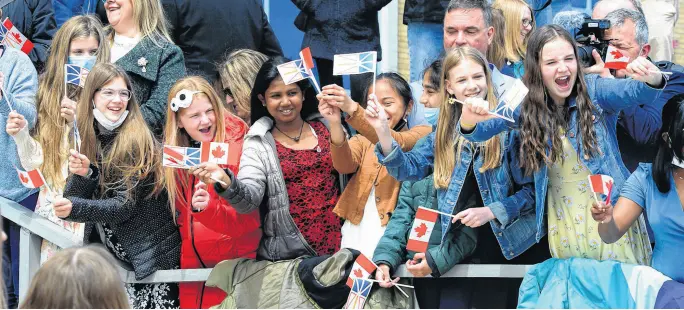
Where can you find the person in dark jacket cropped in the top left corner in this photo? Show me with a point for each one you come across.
(36, 21)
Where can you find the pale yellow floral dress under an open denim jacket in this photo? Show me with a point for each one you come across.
(572, 231)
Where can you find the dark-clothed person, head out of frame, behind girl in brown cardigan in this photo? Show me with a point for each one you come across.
(340, 27)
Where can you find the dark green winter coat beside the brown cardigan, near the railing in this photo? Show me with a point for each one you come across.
(459, 243)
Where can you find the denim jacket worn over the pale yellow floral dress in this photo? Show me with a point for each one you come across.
(609, 96)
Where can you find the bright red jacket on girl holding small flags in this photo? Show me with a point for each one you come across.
(218, 232)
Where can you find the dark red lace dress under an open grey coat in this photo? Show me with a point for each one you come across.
(313, 190)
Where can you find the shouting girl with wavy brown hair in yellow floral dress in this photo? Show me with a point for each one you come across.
(567, 132)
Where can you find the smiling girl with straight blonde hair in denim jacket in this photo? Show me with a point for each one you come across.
(471, 176)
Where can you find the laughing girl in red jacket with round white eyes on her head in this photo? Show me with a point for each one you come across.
(211, 230)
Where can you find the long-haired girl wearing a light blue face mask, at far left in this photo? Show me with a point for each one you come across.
(80, 41)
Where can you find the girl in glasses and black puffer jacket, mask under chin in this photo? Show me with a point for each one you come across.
(116, 185)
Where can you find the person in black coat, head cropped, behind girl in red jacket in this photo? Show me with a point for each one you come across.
(207, 30)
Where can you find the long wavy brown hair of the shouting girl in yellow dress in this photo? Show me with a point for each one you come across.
(541, 118)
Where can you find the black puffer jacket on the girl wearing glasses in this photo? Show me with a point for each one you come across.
(142, 224)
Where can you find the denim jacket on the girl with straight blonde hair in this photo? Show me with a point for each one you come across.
(500, 190)
